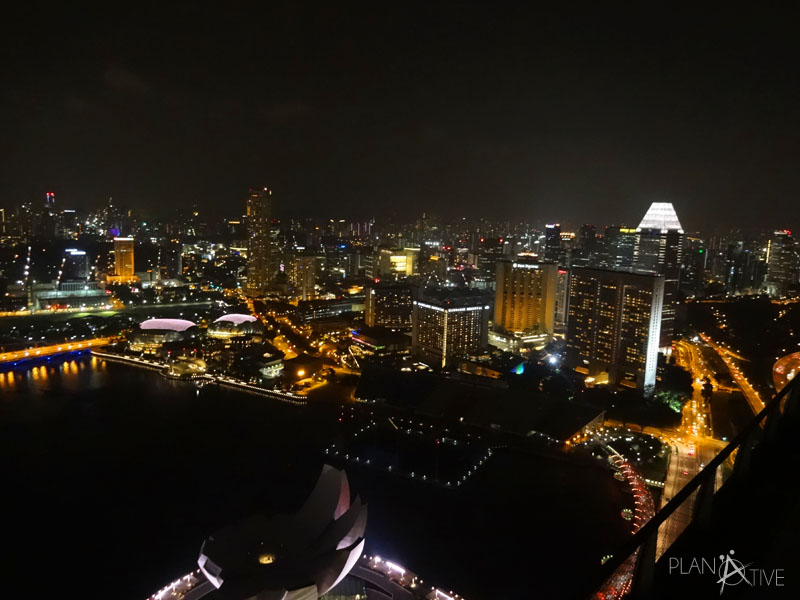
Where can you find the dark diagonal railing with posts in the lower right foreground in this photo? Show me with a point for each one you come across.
(630, 572)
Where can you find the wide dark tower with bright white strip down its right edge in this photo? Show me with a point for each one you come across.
(614, 325)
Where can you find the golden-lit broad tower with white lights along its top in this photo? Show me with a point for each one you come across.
(525, 296)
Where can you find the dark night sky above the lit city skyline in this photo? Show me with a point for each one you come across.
(578, 115)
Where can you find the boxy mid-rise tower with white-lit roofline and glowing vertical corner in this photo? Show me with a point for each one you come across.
(448, 323)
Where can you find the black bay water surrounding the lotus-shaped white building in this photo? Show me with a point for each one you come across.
(112, 476)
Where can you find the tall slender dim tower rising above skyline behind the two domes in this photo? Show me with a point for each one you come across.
(258, 214)
